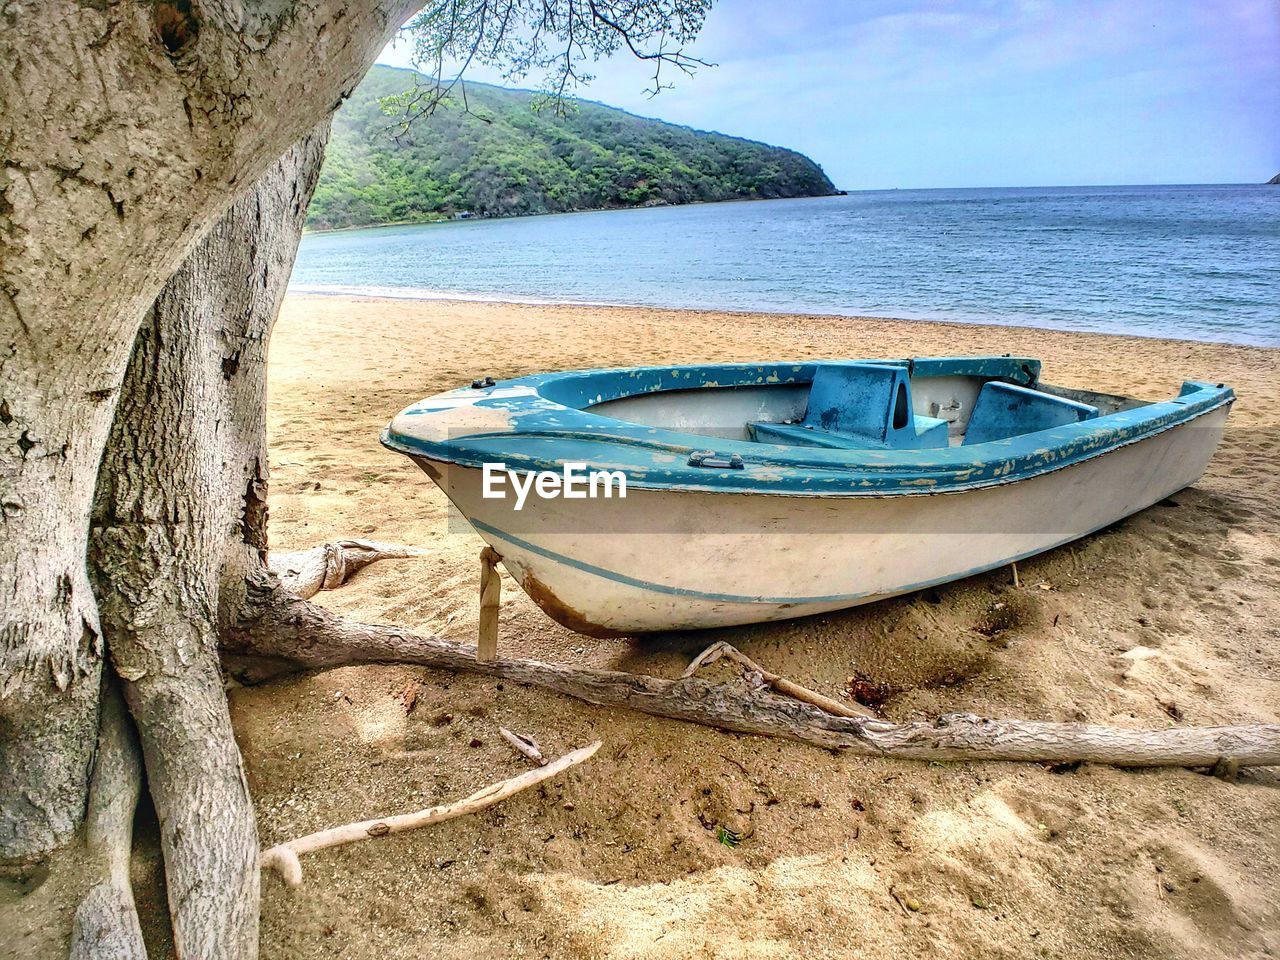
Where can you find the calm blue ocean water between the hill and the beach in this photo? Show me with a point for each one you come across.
(1197, 263)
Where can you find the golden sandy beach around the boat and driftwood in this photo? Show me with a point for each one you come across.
(1168, 618)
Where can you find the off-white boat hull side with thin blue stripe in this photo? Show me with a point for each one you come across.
(679, 560)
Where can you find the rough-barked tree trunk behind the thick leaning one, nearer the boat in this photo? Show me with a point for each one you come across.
(181, 492)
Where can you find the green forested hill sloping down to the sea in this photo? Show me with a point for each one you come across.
(527, 162)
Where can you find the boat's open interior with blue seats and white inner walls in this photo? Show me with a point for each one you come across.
(886, 405)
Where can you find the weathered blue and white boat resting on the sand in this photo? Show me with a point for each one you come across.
(762, 492)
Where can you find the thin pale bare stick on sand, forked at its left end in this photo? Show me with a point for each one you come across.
(284, 858)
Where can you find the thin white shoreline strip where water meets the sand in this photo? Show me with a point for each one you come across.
(458, 299)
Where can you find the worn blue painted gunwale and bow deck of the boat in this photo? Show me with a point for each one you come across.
(655, 459)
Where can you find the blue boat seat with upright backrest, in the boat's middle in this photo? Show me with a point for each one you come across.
(858, 406)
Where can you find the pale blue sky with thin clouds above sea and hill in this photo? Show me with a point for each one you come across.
(986, 94)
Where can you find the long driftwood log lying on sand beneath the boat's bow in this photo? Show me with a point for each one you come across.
(298, 636)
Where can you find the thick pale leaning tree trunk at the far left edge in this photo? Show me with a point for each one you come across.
(127, 130)
